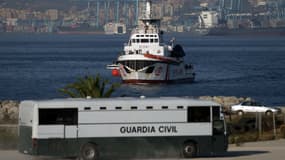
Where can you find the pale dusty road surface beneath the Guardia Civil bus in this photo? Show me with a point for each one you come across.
(268, 150)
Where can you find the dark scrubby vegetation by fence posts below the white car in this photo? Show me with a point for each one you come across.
(246, 128)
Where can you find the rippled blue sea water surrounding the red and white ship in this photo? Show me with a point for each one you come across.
(35, 66)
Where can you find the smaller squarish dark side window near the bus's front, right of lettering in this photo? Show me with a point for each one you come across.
(198, 114)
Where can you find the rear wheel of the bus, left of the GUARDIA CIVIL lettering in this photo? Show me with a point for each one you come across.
(89, 152)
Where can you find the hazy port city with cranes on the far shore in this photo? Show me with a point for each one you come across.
(90, 16)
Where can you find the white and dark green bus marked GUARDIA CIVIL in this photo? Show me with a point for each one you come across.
(94, 128)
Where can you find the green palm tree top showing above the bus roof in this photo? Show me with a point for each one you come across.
(89, 86)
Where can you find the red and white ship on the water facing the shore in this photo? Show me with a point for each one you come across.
(147, 59)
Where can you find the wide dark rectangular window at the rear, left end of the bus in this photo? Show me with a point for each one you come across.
(48, 116)
